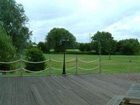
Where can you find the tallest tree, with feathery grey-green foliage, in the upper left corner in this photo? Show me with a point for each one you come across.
(14, 22)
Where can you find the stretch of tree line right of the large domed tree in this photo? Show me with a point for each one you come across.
(110, 46)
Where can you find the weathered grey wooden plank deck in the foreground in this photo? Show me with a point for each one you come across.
(58, 90)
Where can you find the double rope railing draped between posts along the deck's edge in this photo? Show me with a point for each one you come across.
(50, 67)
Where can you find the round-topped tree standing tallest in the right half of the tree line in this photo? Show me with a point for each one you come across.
(105, 41)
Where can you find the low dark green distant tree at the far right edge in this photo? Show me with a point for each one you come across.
(128, 46)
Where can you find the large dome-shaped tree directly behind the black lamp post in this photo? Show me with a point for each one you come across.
(56, 37)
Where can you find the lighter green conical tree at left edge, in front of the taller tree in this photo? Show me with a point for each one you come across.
(7, 50)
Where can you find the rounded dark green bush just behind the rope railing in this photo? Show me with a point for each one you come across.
(35, 55)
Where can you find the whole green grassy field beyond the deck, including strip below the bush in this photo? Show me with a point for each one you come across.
(117, 64)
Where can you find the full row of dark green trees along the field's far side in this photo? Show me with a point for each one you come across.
(100, 40)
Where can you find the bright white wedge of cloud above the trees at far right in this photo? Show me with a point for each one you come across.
(127, 27)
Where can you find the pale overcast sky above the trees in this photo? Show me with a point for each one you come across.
(83, 18)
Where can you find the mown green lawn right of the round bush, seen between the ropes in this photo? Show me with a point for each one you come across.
(117, 64)
